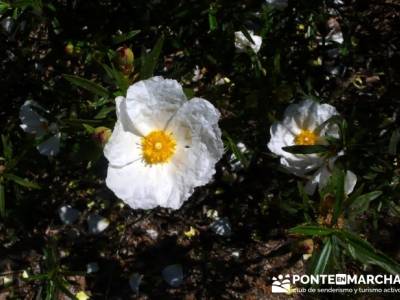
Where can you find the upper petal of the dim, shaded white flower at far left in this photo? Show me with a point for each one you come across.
(32, 122)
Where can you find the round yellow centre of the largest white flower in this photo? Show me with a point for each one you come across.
(158, 147)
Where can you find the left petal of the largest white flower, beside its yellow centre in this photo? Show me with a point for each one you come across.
(123, 147)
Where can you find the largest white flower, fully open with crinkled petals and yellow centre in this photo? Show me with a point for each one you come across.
(162, 145)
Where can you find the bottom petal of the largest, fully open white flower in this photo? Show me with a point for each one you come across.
(142, 186)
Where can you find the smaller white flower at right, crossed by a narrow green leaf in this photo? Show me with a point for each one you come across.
(301, 125)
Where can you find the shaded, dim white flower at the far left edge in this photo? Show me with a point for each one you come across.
(34, 123)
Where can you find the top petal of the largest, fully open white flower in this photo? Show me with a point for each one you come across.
(151, 103)
